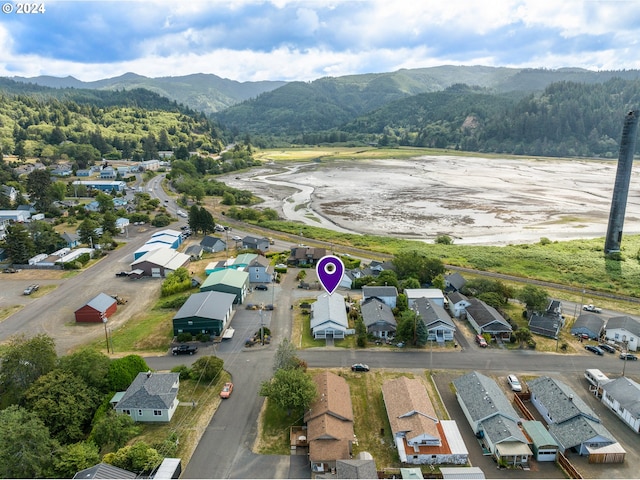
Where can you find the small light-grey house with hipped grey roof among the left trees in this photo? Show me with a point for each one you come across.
(151, 397)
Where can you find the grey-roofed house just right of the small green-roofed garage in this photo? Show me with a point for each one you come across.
(572, 423)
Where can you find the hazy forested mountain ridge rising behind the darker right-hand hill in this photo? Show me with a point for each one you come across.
(329, 103)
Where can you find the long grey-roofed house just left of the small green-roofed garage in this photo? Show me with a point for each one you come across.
(492, 418)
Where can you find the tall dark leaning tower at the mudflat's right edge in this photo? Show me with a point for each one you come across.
(621, 187)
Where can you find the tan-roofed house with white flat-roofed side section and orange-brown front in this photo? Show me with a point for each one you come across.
(420, 437)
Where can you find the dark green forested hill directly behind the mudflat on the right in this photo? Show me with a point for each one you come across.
(566, 119)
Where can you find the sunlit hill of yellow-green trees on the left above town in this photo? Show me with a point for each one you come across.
(111, 126)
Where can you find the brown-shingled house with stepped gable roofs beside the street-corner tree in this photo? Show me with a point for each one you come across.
(330, 423)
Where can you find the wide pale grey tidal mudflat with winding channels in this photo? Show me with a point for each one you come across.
(477, 201)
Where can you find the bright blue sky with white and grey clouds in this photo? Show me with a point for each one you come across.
(251, 40)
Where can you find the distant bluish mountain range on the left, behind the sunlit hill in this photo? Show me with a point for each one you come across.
(201, 92)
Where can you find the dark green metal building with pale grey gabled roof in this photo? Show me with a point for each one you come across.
(205, 312)
